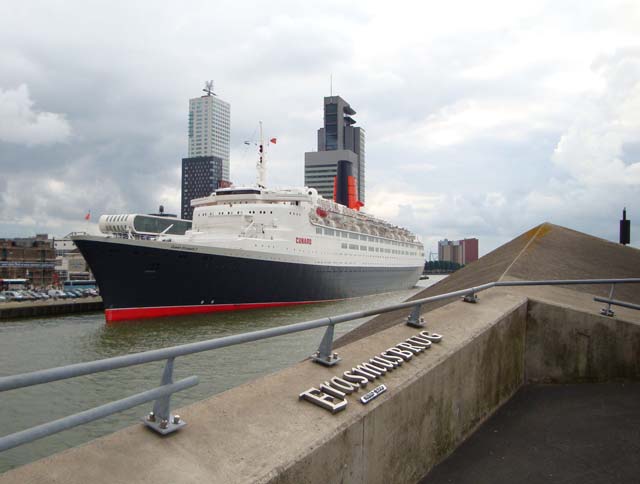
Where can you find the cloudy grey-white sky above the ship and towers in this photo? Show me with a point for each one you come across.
(483, 119)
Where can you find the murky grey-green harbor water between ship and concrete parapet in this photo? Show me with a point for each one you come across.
(33, 344)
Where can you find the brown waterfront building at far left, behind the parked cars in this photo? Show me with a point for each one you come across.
(31, 258)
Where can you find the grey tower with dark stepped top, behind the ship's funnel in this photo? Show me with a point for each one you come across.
(338, 140)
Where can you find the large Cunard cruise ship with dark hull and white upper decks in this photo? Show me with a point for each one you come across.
(248, 247)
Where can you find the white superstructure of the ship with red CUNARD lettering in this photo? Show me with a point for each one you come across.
(297, 225)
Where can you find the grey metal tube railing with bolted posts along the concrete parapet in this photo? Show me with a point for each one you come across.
(160, 418)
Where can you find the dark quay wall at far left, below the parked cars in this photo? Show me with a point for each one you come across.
(31, 309)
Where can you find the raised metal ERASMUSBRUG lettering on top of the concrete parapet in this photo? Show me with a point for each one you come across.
(332, 394)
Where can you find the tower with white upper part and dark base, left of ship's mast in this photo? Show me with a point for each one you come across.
(209, 137)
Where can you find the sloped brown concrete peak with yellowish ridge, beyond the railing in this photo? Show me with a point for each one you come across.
(546, 251)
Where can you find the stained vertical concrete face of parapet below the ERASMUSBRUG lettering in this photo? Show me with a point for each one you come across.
(399, 440)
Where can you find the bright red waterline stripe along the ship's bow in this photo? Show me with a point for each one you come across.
(125, 314)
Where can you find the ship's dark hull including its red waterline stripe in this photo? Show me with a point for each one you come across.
(138, 279)
